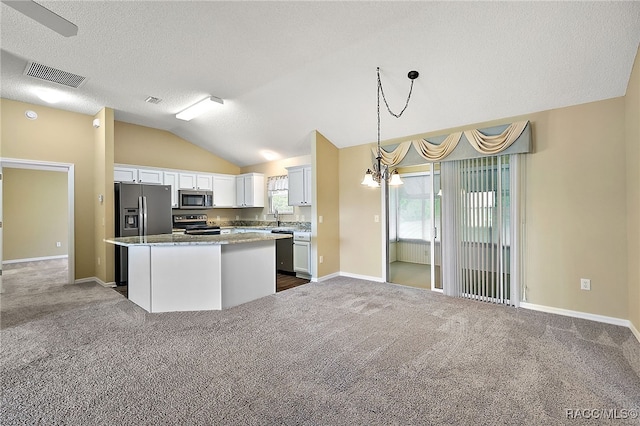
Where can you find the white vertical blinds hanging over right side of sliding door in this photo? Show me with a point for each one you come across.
(480, 204)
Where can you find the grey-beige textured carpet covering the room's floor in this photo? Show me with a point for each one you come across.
(340, 352)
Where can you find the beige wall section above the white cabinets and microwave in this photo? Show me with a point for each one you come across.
(145, 146)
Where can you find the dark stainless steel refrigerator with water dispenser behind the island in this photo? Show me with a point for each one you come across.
(139, 210)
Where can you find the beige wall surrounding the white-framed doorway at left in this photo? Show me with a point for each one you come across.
(57, 136)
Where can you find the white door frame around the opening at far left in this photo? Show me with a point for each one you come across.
(67, 168)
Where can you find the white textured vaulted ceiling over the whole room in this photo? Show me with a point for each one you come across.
(285, 69)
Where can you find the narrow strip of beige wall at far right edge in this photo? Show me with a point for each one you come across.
(632, 121)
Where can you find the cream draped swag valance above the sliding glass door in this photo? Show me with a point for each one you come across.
(482, 143)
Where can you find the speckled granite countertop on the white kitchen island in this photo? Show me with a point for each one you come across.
(190, 240)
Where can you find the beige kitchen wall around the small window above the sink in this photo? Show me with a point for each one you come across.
(273, 168)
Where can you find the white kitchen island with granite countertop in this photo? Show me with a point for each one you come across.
(199, 272)
